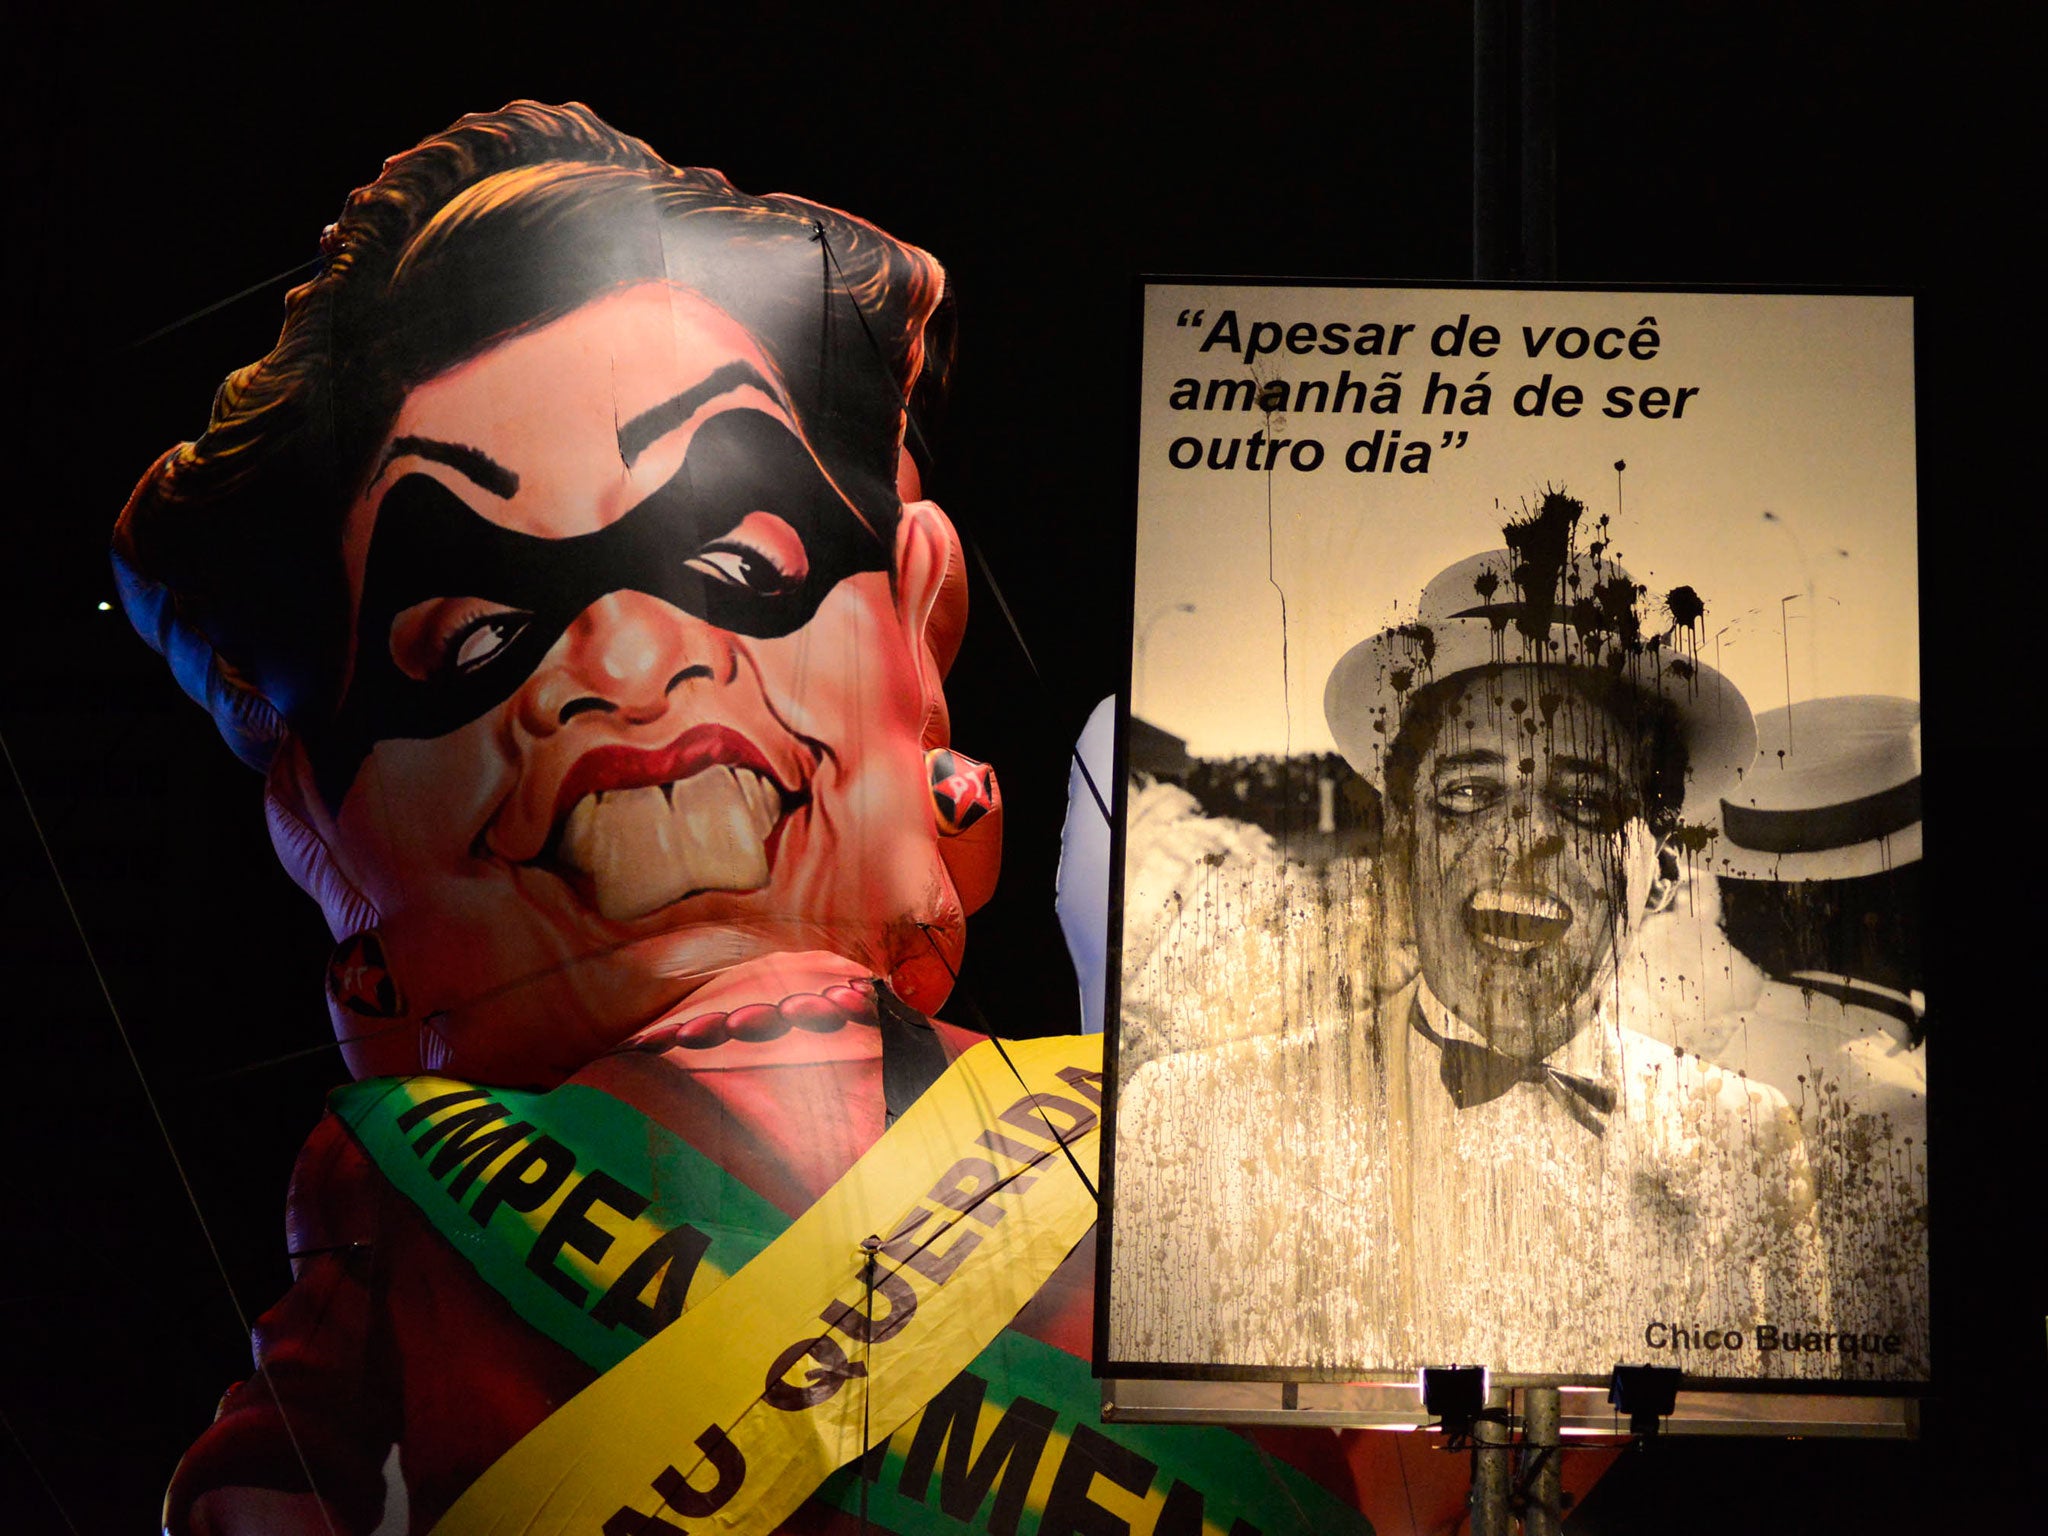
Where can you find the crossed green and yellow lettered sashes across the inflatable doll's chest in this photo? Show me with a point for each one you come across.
(876, 1320)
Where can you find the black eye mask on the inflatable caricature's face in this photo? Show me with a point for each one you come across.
(431, 546)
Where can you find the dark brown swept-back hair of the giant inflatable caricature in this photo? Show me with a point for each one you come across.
(228, 554)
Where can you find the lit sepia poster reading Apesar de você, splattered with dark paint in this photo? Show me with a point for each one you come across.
(1521, 839)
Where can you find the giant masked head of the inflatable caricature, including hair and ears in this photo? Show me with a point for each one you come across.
(562, 566)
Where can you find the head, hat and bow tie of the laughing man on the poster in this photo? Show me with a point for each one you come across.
(1539, 751)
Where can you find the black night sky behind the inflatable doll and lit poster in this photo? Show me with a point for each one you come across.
(165, 177)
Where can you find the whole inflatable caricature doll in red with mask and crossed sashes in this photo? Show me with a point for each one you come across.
(564, 572)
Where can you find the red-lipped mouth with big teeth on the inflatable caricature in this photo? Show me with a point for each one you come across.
(642, 830)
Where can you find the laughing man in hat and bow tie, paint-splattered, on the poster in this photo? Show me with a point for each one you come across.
(1496, 1164)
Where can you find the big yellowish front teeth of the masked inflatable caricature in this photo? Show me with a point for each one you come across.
(650, 847)
